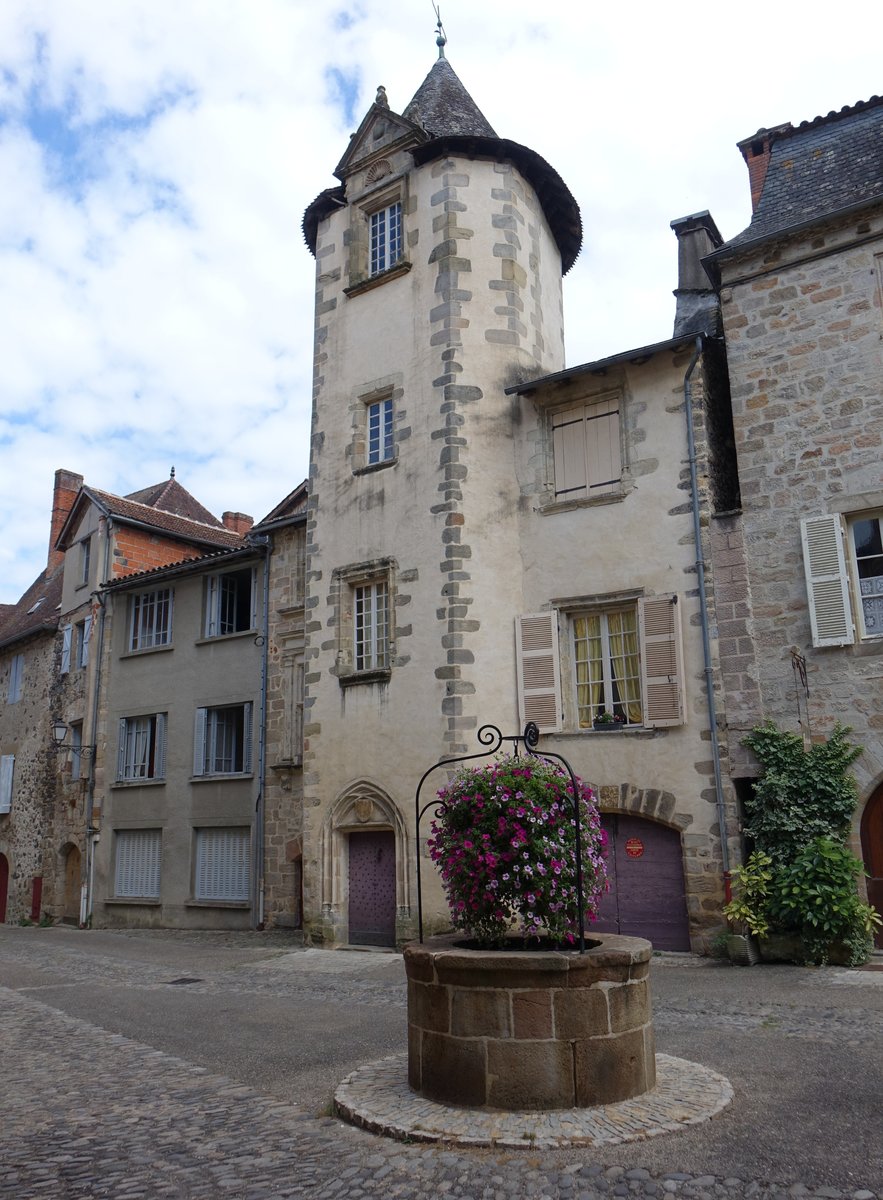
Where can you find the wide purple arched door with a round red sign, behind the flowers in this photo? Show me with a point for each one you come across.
(646, 871)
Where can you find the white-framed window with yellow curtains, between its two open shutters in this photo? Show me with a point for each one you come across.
(608, 665)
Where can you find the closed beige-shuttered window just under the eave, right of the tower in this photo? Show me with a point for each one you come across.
(587, 452)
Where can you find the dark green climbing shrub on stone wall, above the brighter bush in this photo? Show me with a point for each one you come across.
(803, 795)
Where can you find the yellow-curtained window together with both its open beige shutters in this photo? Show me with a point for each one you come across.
(623, 658)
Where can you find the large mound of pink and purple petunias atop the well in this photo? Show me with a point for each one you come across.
(504, 842)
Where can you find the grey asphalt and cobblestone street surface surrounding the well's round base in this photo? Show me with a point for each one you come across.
(803, 1049)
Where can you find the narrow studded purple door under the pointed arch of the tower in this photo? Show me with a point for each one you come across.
(373, 889)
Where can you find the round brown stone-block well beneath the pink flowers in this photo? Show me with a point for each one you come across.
(530, 1029)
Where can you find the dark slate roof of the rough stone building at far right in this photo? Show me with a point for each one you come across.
(818, 170)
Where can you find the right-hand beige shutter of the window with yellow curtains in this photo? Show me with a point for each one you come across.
(662, 661)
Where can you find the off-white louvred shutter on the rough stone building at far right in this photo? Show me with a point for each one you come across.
(827, 581)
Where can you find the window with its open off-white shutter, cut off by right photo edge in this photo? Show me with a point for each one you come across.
(834, 556)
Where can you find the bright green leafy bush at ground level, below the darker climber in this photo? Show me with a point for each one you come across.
(816, 896)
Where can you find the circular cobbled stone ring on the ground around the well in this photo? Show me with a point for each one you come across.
(379, 1099)
